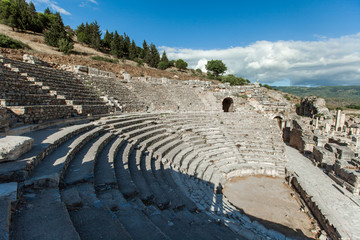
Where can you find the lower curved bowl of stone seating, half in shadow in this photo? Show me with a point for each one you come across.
(144, 176)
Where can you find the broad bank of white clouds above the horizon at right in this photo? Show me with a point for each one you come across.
(333, 61)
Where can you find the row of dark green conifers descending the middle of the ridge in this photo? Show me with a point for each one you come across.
(122, 46)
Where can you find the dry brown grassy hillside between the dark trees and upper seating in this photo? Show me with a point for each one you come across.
(82, 55)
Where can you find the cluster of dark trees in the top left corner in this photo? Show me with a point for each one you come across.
(21, 15)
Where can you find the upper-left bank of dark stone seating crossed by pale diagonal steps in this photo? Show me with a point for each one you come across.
(36, 93)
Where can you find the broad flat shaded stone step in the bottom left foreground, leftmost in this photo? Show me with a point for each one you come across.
(42, 215)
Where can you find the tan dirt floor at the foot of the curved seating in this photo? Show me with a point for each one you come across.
(271, 202)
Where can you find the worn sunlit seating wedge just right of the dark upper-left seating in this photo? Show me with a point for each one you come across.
(116, 91)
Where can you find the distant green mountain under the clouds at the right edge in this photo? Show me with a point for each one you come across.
(334, 95)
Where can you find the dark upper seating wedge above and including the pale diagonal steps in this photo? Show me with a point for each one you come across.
(61, 84)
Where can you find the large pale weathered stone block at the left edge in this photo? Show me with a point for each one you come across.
(12, 147)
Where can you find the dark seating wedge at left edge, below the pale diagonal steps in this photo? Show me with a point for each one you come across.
(30, 102)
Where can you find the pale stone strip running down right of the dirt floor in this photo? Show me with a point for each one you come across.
(341, 210)
